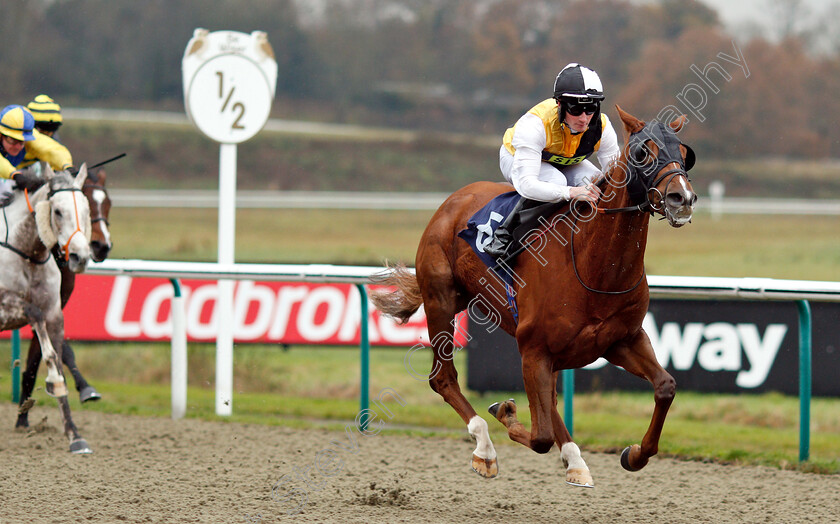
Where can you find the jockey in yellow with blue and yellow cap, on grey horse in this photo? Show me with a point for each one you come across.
(21, 146)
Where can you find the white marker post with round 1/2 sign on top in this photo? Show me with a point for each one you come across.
(229, 82)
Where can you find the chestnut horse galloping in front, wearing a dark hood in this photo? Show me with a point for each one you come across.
(580, 290)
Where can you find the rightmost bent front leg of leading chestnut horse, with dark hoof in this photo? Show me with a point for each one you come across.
(636, 355)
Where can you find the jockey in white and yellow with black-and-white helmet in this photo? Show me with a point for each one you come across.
(544, 155)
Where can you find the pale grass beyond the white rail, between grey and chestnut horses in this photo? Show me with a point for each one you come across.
(270, 236)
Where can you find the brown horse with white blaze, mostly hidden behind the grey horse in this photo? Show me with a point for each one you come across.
(99, 201)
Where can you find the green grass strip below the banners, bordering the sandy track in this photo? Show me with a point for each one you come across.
(319, 387)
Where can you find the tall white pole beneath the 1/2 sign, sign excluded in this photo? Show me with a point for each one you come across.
(224, 306)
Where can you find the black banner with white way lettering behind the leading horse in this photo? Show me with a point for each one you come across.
(711, 346)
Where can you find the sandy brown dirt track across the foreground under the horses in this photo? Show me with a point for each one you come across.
(159, 470)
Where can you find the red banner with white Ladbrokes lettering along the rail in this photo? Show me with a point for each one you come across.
(125, 308)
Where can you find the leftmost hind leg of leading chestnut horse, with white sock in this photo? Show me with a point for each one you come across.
(440, 305)
